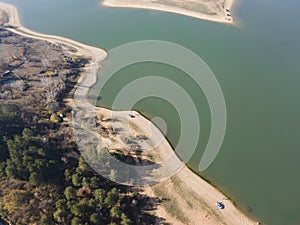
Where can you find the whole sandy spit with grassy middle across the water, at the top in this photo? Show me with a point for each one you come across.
(217, 11)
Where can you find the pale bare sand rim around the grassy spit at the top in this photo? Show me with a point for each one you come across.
(217, 14)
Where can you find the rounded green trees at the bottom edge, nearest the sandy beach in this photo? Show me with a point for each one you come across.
(89, 197)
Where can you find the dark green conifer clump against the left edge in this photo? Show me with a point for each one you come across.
(24, 156)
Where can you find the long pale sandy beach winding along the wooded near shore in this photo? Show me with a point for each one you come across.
(181, 187)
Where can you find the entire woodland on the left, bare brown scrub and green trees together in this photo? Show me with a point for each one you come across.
(43, 178)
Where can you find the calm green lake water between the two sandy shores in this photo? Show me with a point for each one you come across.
(257, 66)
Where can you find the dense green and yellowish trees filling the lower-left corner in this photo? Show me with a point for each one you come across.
(43, 185)
